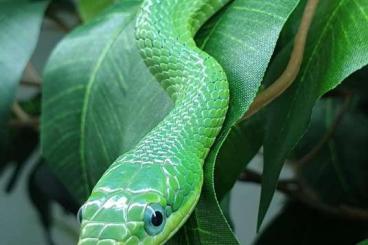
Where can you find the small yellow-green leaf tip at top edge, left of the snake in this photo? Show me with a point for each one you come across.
(89, 9)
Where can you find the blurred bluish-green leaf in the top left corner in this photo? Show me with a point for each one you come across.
(20, 23)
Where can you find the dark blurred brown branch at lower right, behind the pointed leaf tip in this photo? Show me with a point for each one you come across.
(300, 192)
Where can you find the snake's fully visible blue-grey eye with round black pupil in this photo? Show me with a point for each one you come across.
(154, 219)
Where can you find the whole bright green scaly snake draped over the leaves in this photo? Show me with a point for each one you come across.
(148, 193)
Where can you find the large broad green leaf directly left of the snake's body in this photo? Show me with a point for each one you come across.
(98, 100)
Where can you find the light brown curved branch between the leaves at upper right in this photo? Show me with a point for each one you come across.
(293, 67)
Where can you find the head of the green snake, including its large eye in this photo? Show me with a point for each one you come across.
(142, 212)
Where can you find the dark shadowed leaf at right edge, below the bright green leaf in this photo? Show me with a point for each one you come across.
(338, 171)
